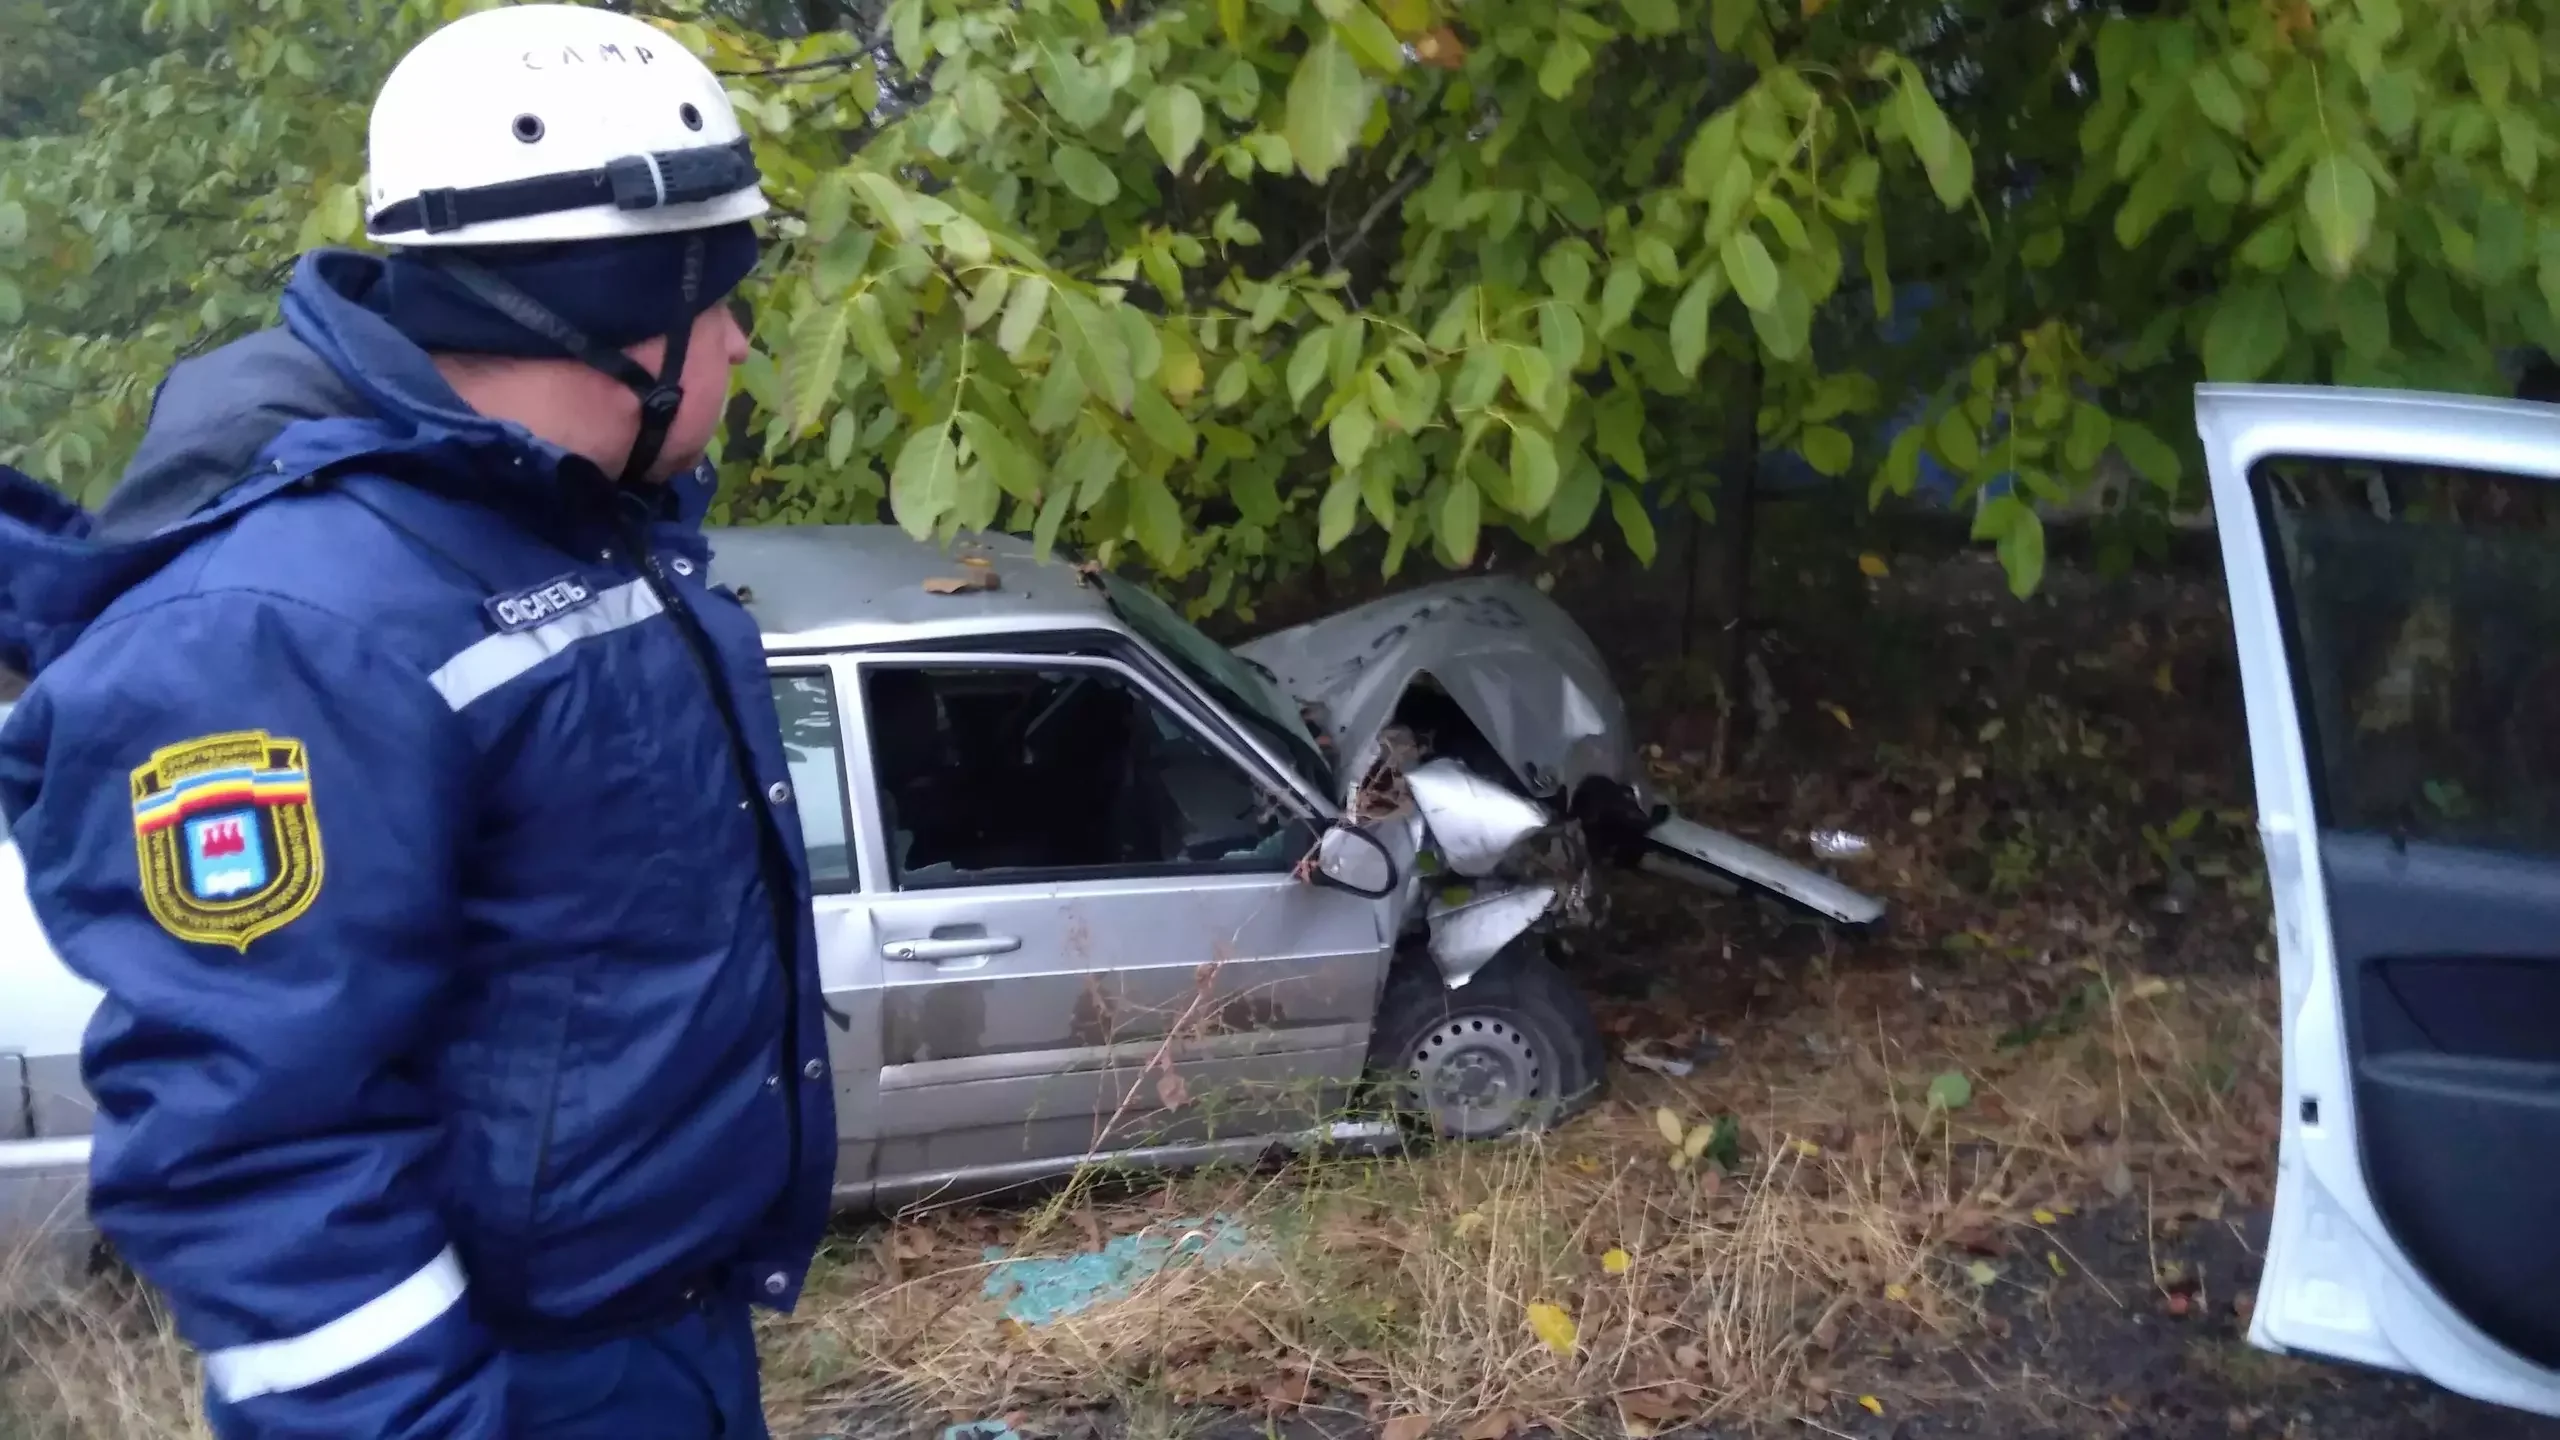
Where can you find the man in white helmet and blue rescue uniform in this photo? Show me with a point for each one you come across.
(419, 806)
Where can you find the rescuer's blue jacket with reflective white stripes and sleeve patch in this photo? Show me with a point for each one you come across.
(426, 821)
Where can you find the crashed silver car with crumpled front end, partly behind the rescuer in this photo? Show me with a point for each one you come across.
(1094, 885)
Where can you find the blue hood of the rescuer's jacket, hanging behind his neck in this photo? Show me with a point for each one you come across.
(329, 388)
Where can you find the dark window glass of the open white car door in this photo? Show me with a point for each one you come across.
(2423, 609)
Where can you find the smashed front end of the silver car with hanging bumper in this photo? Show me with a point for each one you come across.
(1481, 719)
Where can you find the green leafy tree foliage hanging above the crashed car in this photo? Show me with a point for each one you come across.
(1235, 281)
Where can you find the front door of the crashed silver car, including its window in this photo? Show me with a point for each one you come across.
(1087, 921)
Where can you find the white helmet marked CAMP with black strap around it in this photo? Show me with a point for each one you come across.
(554, 124)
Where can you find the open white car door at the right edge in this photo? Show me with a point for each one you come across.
(2395, 588)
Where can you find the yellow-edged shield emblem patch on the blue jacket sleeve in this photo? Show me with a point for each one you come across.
(227, 837)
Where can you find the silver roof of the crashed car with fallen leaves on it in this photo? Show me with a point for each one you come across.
(867, 585)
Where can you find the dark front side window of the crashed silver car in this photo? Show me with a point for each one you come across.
(995, 775)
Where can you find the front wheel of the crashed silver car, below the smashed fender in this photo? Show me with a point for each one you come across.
(1509, 1052)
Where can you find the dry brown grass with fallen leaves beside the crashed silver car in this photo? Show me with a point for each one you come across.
(1407, 1285)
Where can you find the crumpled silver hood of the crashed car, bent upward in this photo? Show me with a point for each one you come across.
(1504, 652)
